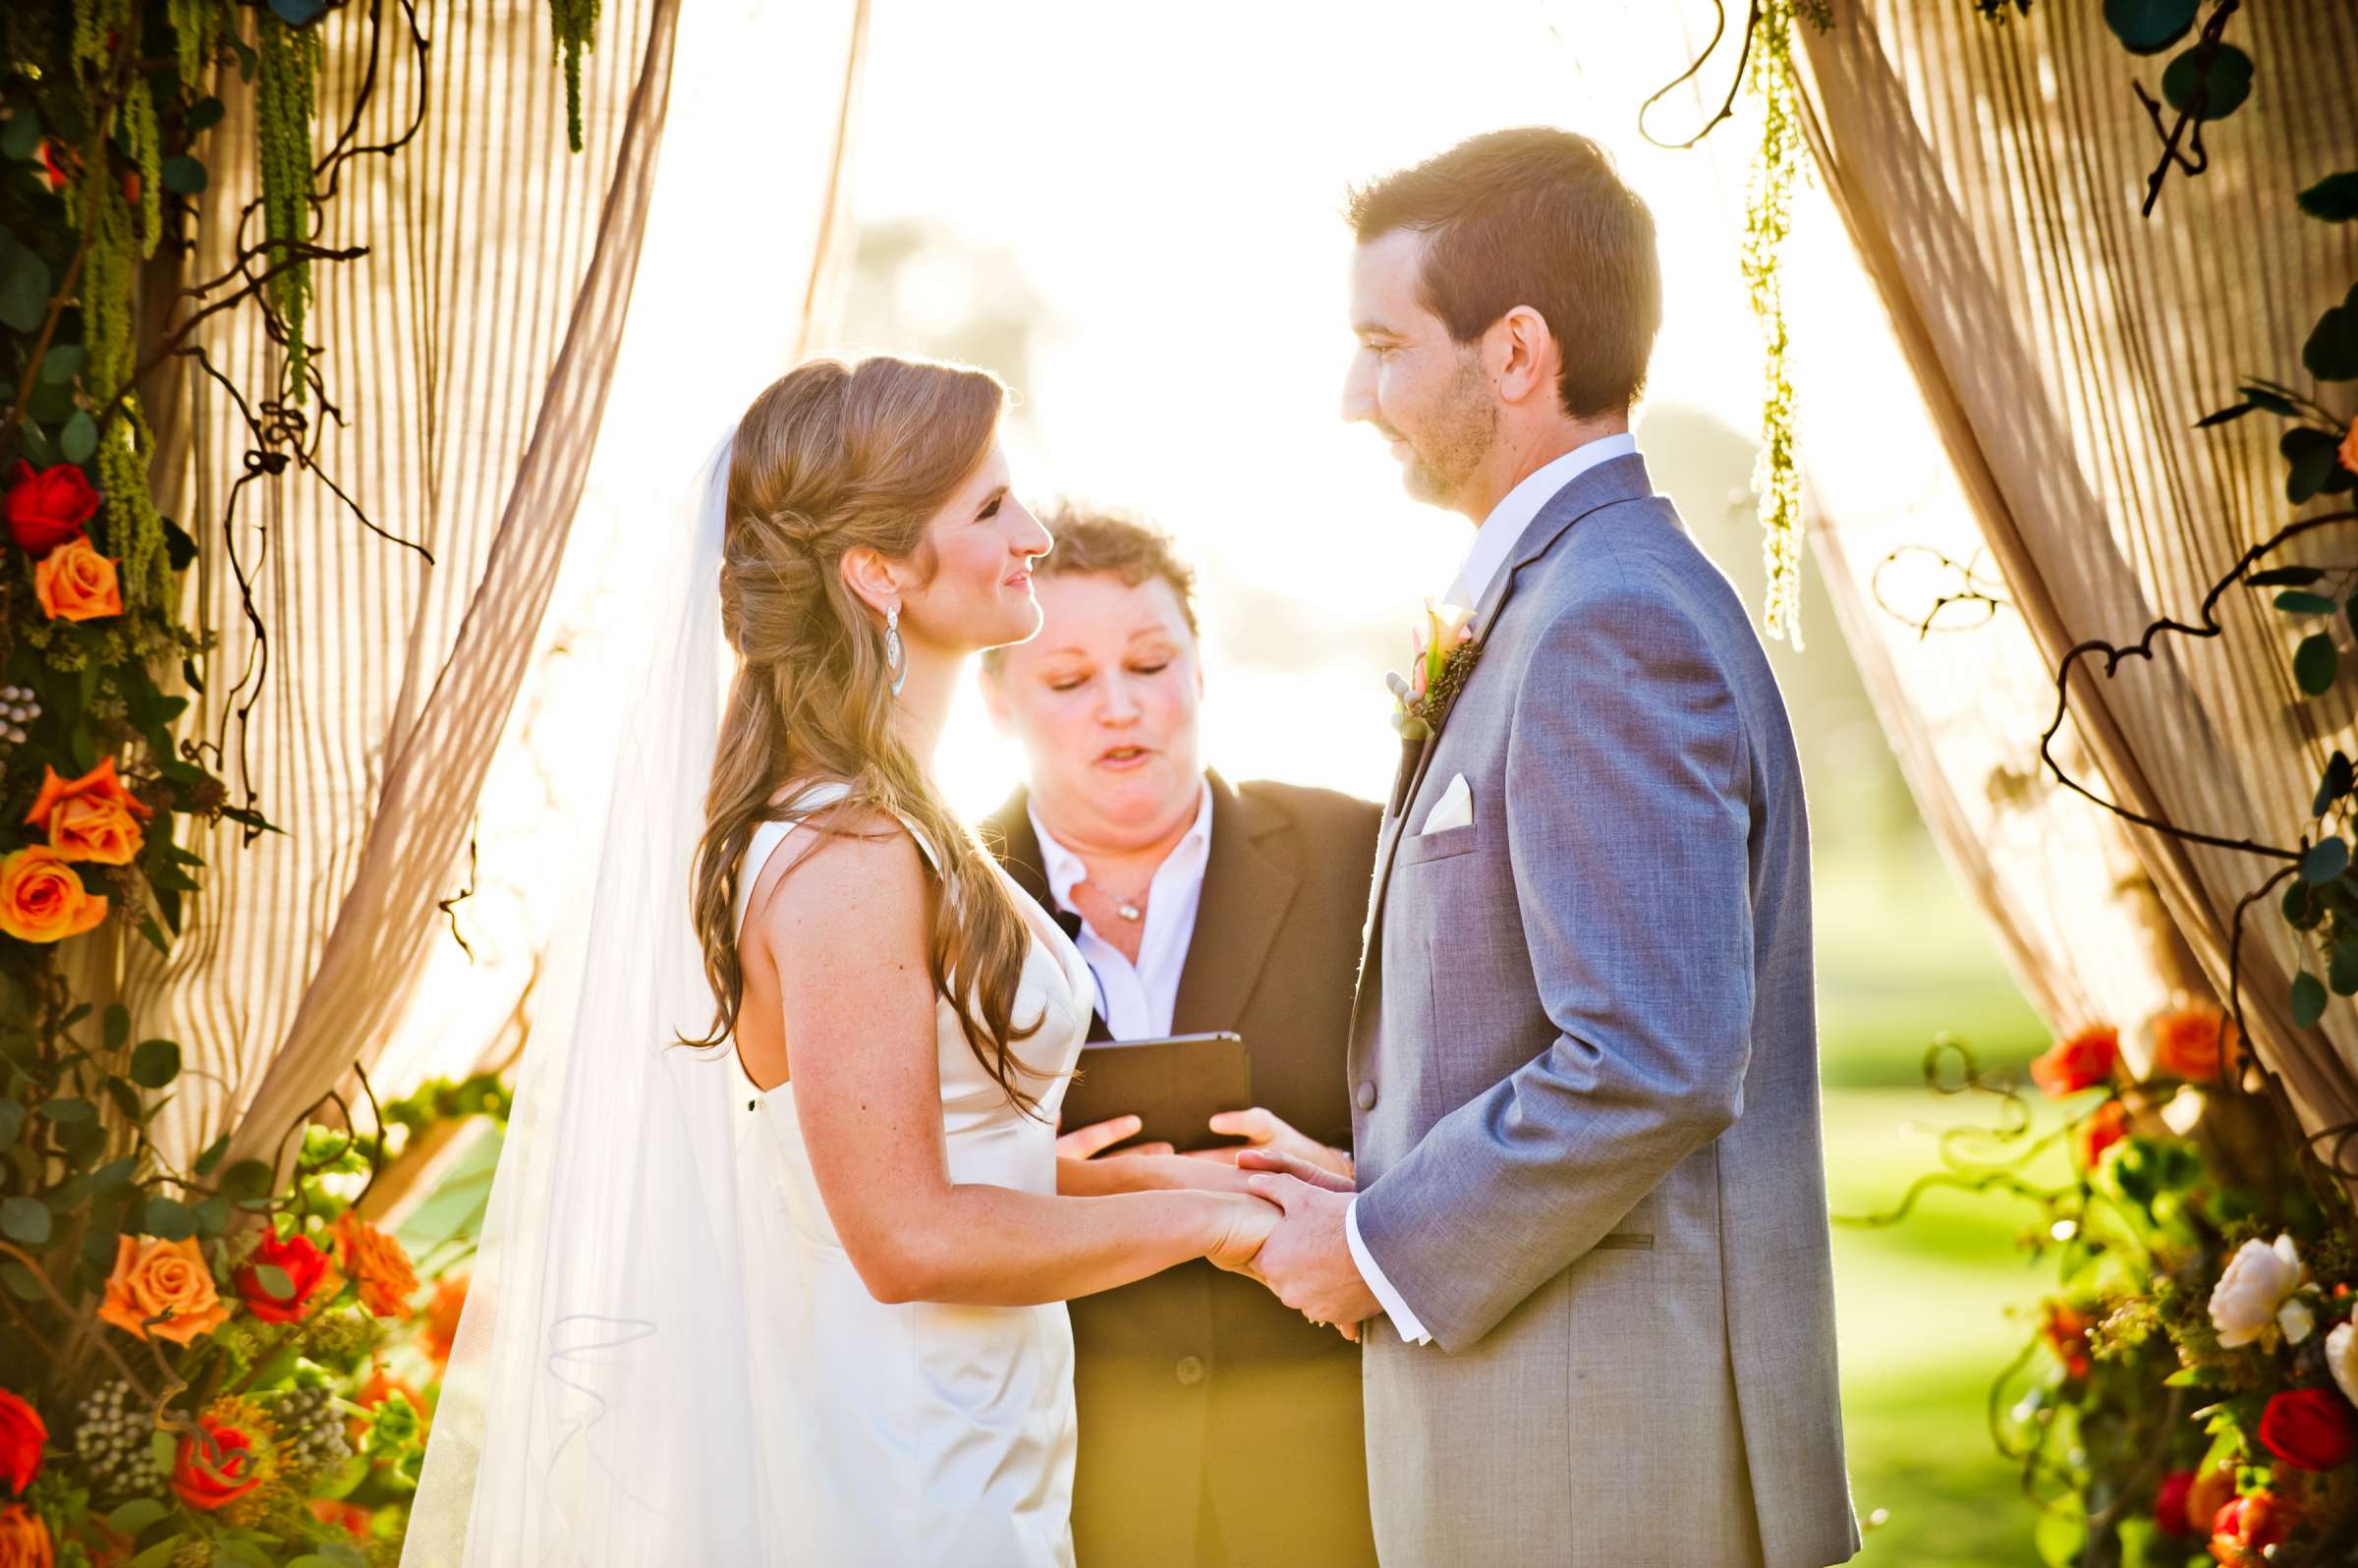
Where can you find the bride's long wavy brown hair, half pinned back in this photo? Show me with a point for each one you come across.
(831, 459)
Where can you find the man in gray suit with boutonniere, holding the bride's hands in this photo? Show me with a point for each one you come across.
(1588, 1244)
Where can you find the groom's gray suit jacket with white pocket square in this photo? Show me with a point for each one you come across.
(1586, 1086)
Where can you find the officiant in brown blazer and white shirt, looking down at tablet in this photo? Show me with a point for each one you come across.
(1216, 1425)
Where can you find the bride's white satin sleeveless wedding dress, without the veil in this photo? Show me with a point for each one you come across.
(909, 1432)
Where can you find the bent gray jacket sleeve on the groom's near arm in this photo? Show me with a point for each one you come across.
(1628, 834)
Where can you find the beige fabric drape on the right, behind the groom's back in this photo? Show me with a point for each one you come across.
(2064, 350)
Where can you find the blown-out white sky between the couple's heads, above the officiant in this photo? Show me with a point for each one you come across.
(1171, 185)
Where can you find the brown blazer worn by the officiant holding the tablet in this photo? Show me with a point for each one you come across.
(1216, 1425)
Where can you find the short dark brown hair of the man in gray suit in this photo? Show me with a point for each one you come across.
(1534, 216)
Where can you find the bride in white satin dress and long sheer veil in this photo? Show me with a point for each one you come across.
(779, 1246)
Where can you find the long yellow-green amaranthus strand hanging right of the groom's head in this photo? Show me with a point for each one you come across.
(1777, 480)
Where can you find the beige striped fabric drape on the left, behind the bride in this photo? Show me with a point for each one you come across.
(360, 685)
